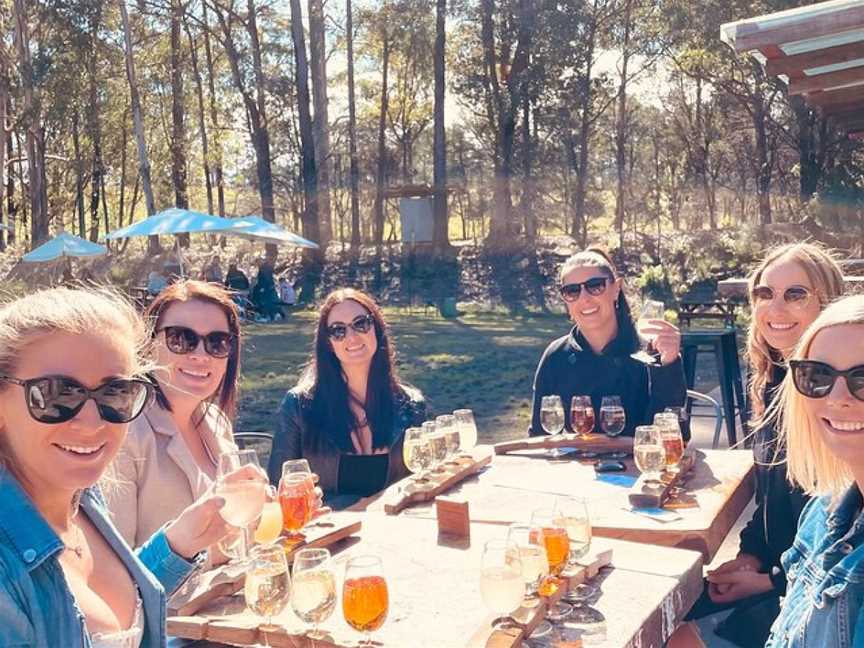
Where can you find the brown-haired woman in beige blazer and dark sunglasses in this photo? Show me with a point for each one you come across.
(171, 452)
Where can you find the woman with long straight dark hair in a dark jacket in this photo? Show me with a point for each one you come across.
(348, 412)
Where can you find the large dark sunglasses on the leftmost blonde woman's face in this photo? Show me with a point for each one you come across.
(57, 399)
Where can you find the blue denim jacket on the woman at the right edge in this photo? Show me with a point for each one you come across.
(825, 573)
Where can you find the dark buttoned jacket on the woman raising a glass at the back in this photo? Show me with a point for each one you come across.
(569, 368)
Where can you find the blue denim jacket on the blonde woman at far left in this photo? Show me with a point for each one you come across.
(37, 609)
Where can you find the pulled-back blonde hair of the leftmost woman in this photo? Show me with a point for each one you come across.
(66, 310)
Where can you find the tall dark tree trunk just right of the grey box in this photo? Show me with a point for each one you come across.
(440, 235)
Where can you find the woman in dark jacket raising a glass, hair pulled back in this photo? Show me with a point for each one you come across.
(593, 359)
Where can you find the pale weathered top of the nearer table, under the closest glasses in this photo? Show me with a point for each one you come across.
(435, 590)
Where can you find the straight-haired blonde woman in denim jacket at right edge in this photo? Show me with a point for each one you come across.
(822, 407)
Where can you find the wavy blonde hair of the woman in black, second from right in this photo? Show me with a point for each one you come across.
(827, 280)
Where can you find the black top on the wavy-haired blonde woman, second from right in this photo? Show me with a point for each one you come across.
(772, 528)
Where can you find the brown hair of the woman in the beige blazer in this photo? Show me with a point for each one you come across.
(191, 290)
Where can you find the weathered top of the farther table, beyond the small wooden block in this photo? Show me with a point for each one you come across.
(513, 486)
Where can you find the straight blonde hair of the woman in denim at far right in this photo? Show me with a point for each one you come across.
(810, 463)
